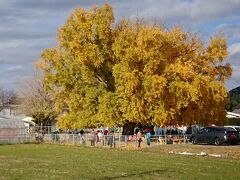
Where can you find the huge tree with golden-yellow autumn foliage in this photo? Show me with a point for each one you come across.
(104, 73)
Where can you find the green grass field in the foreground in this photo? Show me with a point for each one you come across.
(42, 161)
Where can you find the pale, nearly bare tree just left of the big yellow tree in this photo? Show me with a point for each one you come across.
(36, 102)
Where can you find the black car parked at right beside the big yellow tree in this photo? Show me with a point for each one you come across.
(215, 135)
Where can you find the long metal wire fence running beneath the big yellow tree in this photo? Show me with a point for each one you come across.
(114, 140)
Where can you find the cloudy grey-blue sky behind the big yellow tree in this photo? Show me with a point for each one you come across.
(29, 26)
